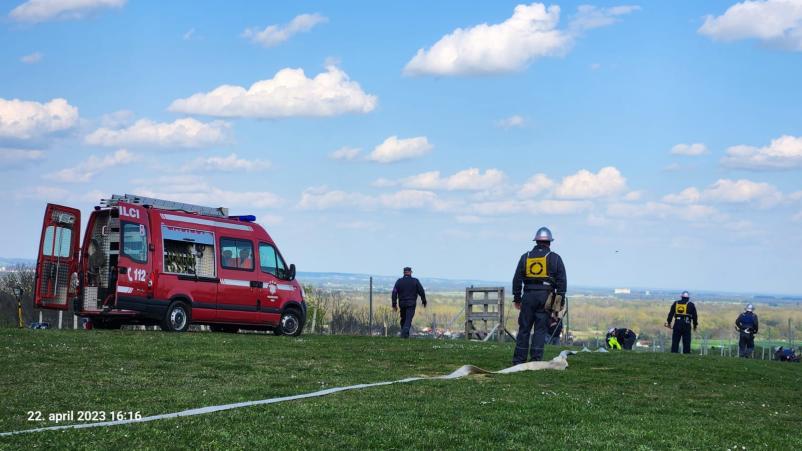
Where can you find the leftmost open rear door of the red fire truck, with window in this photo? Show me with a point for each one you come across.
(58, 257)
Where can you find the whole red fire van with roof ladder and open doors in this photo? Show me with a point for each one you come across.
(156, 262)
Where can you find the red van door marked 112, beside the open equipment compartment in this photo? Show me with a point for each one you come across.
(136, 261)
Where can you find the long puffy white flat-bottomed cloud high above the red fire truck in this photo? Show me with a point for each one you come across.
(289, 93)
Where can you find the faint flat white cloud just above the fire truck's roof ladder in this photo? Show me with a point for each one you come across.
(195, 190)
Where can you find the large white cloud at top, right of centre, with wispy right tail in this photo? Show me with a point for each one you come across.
(509, 46)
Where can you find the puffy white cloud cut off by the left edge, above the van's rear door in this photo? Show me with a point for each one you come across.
(20, 119)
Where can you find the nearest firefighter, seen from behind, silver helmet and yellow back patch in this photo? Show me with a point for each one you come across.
(540, 272)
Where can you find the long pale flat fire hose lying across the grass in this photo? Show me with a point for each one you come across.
(558, 363)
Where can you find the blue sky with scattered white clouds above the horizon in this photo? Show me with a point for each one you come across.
(661, 141)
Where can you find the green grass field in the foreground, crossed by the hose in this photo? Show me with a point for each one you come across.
(602, 401)
